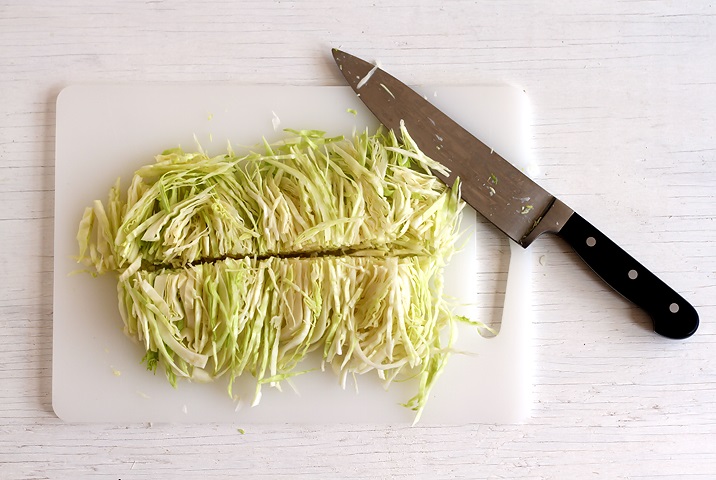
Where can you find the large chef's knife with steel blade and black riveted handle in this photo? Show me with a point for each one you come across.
(510, 199)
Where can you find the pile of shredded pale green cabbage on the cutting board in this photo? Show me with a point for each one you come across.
(232, 265)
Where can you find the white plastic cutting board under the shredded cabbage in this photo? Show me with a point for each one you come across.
(108, 131)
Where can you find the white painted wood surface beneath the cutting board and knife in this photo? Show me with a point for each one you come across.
(624, 97)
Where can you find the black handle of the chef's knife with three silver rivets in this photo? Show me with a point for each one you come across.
(673, 316)
